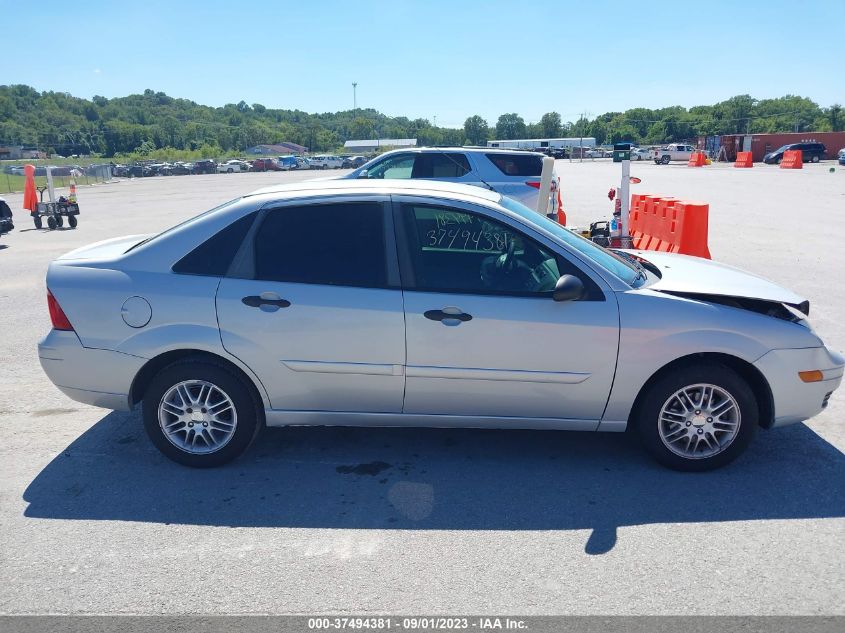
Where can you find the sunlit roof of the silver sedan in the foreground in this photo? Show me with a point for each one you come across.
(381, 186)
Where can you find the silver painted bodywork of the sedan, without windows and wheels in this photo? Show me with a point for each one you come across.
(367, 356)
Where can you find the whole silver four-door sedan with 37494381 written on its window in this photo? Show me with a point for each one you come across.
(428, 304)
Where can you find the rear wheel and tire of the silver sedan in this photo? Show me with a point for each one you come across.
(231, 417)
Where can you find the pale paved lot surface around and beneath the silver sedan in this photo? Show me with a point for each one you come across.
(94, 520)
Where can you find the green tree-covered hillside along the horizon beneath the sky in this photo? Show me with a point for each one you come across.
(142, 123)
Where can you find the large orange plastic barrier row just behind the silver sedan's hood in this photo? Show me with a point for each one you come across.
(661, 223)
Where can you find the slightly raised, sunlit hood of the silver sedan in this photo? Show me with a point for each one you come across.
(694, 275)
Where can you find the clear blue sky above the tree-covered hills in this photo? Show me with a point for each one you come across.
(444, 59)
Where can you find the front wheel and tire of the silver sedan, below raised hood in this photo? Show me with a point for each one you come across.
(670, 414)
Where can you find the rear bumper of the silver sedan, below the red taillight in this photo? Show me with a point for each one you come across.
(98, 377)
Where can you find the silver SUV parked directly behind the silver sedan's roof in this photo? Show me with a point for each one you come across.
(512, 173)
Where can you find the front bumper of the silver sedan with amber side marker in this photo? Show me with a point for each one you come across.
(795, 400)
